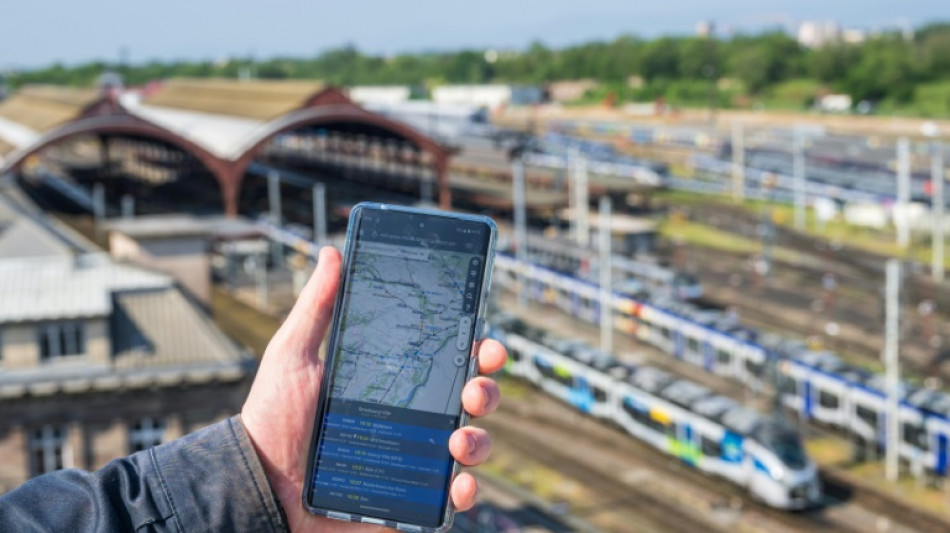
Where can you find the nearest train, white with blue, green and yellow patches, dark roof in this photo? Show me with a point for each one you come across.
(680, 418)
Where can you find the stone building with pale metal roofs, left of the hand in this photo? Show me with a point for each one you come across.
(100, 359)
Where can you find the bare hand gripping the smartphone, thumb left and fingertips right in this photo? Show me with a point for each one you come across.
(281, 407)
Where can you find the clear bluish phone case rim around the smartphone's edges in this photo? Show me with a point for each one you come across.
(472, 371)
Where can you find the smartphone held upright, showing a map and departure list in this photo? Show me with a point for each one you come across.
(409, 311)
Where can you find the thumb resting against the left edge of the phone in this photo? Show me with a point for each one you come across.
(307, 323)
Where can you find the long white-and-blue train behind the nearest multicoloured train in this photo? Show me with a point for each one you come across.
(817, 385)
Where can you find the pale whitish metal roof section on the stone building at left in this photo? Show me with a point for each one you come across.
(67, 287)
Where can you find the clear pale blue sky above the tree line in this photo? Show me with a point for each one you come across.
(39, 32)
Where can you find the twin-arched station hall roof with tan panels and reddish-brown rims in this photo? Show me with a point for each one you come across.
(222, 123)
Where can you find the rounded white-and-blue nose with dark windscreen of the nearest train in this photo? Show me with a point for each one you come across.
(783, 475)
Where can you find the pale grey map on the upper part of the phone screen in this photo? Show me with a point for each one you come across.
(406, 333)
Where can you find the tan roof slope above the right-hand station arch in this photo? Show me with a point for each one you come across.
(259, 100)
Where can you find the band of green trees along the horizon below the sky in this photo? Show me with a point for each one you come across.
(772, 67)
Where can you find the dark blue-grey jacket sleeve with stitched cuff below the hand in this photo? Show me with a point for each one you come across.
(210, 480)
